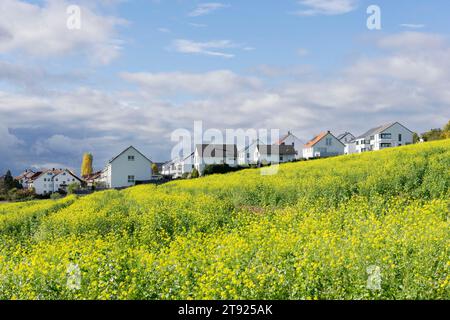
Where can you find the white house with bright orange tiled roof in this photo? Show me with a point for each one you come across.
(323, 145)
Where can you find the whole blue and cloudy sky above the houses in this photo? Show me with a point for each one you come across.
(134, 71)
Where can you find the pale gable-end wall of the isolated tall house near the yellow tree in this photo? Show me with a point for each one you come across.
(121, 168)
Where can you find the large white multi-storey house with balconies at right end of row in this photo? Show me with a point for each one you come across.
(382, 137)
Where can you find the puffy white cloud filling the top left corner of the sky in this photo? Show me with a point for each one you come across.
(41, 31)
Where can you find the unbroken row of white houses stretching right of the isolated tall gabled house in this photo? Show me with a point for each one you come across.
(289, 148)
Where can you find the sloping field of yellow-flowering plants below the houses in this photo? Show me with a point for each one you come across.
(370, 226)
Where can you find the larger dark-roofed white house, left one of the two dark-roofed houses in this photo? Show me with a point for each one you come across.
(208, 154)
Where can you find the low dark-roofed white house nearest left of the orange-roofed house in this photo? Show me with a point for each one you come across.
(266, 154)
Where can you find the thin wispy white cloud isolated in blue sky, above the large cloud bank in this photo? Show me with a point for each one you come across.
(210, 48)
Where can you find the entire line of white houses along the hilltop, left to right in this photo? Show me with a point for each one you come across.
(131, 166)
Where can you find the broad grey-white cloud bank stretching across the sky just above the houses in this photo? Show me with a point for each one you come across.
(408, 83)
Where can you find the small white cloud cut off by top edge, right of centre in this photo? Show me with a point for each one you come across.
(326, 7)
